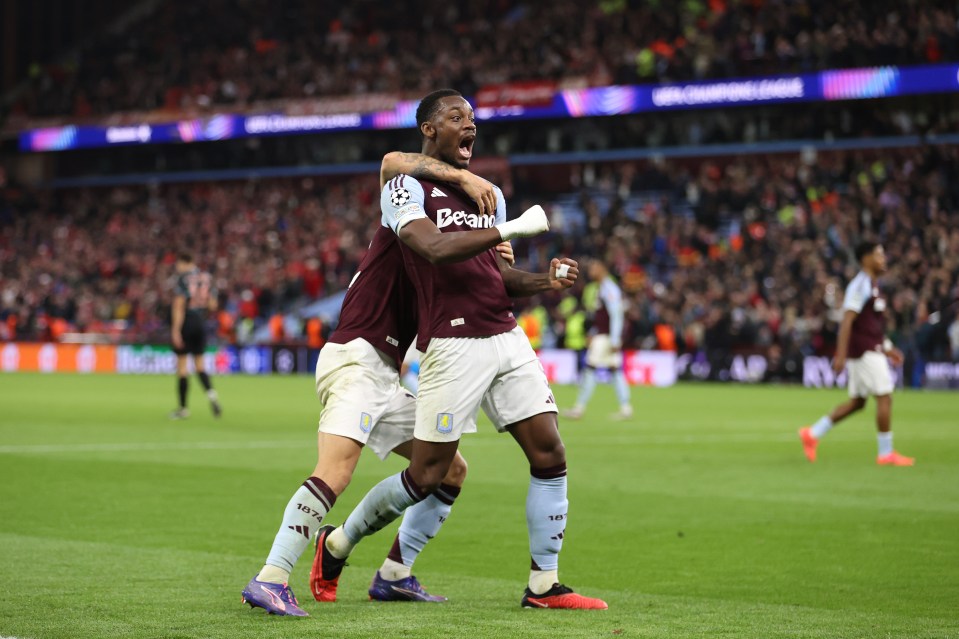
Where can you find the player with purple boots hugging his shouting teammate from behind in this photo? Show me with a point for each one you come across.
(357, 381)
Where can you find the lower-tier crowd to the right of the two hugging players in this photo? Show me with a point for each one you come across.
(762, 260)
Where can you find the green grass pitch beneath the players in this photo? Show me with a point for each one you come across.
(701, 518)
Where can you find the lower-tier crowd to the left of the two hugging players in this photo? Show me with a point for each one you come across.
(102, 260)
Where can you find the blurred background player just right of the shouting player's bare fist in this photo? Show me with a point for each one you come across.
(605, 349)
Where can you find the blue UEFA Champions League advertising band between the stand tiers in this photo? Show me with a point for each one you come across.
(512, 102)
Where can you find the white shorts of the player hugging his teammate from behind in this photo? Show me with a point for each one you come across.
(362, 397)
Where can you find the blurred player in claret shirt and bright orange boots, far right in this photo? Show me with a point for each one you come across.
(862, 348)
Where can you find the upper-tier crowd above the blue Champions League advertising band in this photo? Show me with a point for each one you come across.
(179, 57)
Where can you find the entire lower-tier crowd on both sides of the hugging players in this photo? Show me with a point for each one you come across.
(744, 253)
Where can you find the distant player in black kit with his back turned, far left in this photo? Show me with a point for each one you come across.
(193, 298)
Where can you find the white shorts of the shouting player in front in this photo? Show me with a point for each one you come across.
(501, 373)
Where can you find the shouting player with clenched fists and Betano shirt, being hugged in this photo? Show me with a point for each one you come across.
(475, 355)
